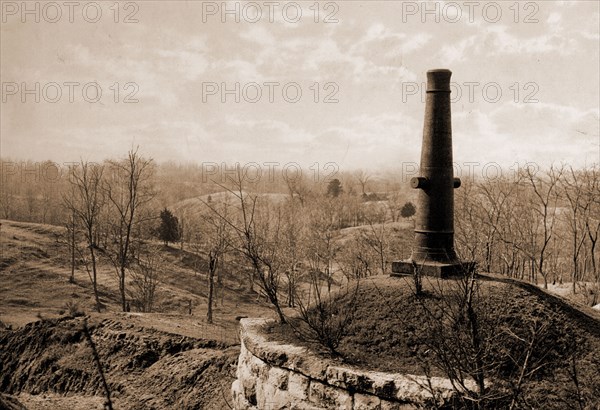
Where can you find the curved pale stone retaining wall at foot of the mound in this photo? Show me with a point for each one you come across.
(273, 376)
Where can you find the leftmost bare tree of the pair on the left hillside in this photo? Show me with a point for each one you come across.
(85, 203)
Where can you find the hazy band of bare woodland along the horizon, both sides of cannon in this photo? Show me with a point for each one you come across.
(540, 225)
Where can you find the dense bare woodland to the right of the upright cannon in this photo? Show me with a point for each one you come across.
(536, 224)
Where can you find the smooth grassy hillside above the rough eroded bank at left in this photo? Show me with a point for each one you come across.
(35, 268)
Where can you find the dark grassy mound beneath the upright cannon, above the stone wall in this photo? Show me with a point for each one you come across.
(534, 349)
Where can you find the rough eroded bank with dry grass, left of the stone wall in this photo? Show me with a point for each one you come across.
(143, 368)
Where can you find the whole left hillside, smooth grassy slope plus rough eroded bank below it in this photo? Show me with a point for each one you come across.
(167, 359)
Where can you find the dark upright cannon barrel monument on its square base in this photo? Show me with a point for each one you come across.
(433, 248)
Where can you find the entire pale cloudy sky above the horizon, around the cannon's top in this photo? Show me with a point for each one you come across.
(292, 82)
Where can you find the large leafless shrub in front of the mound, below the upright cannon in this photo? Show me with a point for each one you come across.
(469, 334)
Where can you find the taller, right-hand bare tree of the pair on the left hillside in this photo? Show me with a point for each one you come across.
(128, 191)
